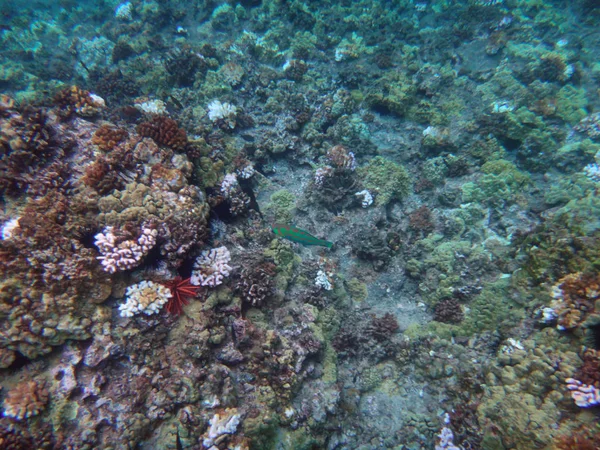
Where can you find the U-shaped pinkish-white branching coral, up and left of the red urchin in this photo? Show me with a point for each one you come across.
(126, 254)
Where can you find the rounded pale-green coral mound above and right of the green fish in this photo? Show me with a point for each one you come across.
(388, 179)
